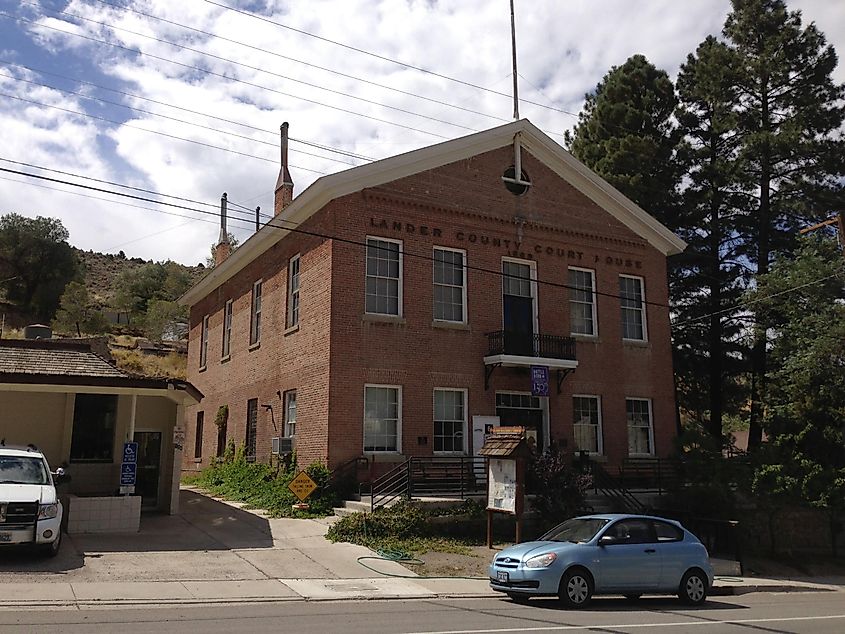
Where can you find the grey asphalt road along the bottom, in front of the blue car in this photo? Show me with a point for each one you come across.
(816, 613)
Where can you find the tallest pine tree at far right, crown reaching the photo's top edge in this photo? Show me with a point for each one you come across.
(790, 113)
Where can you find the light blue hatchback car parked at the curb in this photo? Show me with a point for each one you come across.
(629, 555)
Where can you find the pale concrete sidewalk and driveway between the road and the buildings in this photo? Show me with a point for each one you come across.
(218, 552)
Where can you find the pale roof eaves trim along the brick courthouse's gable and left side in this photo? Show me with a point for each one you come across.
(532, 139)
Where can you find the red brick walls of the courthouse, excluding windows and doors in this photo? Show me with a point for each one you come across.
(338, 349)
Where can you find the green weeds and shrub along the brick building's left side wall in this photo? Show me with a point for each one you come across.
(263, 486)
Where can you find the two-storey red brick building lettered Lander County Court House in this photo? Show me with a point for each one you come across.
(402, 314)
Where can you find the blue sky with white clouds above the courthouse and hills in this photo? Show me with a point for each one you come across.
(185, 99)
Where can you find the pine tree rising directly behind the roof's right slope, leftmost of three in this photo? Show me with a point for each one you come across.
(625, 134)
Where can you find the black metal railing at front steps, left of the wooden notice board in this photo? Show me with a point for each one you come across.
(430, 476)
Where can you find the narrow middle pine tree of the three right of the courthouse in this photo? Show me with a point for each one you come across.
(707, 277)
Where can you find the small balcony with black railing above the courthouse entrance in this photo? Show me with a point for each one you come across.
(522, 350)
